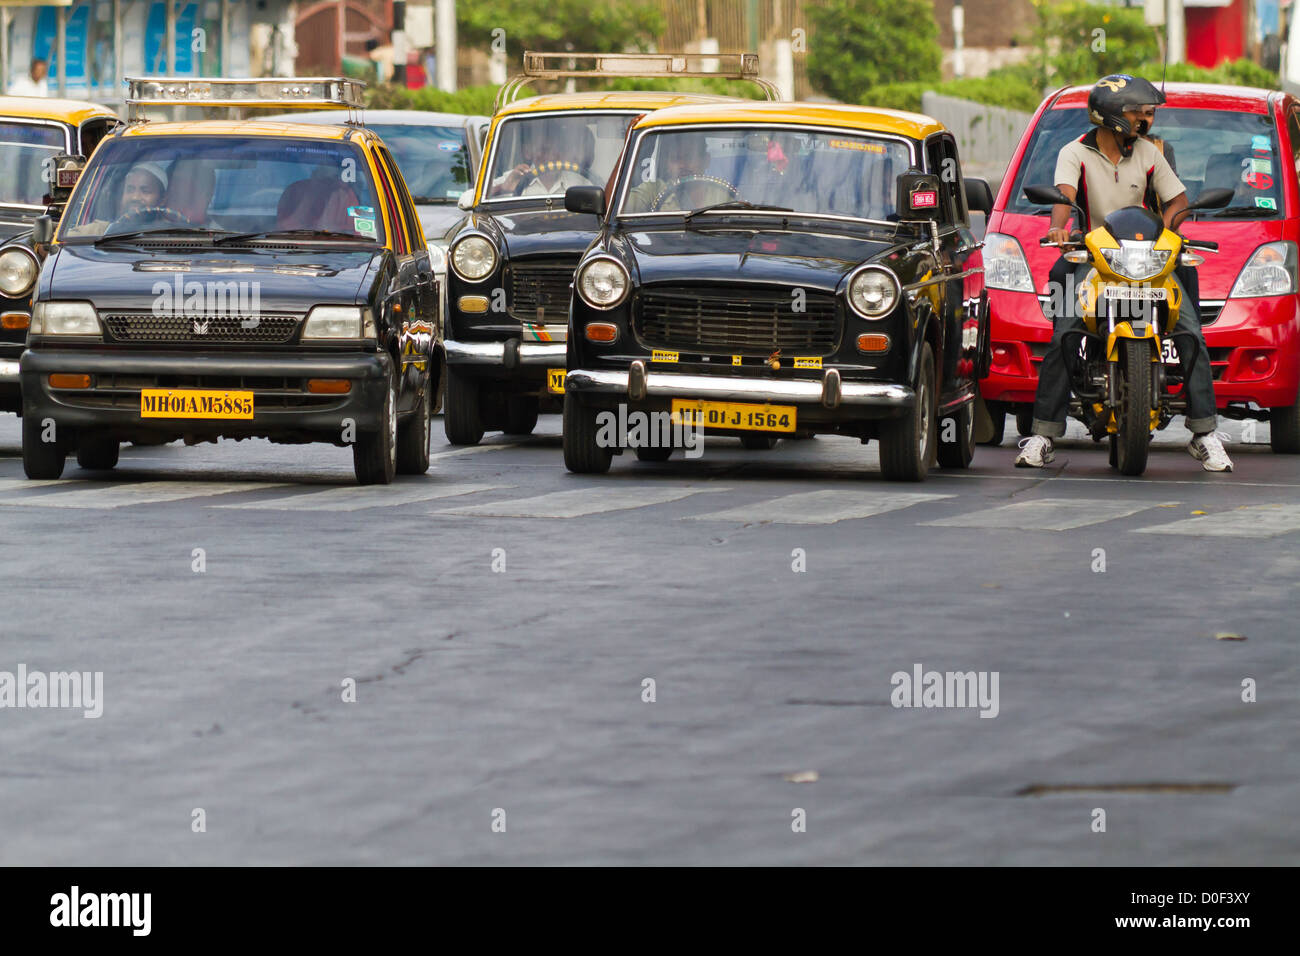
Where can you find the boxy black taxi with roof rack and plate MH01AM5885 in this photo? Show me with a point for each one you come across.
(224, 279)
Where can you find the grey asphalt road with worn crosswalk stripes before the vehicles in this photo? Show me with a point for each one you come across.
(522, 690)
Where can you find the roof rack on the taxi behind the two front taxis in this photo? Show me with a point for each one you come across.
(645, 66)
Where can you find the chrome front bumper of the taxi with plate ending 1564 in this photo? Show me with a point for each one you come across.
(727, 388)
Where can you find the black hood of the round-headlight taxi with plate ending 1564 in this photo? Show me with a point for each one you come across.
(748, 256)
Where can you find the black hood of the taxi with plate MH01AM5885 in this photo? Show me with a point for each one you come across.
(132, 279)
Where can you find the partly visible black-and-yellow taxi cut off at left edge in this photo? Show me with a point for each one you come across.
(34, 135)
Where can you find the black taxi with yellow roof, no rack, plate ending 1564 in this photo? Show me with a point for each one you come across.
(768, 270)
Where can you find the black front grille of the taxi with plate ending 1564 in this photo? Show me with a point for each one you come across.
(746, 321)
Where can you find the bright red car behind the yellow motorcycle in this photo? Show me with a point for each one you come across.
(1223, 137)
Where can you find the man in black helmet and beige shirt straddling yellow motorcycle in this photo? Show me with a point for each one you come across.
(1107, 170)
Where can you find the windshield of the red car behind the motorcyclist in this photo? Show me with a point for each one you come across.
(1214, 149)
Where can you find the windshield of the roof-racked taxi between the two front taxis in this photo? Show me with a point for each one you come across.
(545, 155)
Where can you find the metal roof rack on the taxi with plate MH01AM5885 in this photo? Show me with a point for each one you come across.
(280, 93)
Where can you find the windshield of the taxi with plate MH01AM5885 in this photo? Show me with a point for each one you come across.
(226, 185)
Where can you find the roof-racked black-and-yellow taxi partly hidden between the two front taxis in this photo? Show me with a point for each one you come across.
(513, 259)
